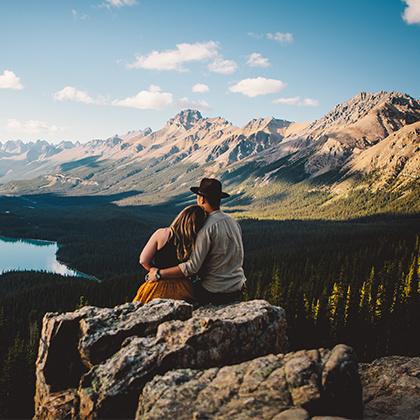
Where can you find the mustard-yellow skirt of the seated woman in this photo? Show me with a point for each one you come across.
(165, 289)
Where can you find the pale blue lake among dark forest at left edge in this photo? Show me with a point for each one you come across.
(32, 254)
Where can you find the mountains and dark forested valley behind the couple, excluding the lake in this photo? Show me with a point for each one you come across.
(329, 212)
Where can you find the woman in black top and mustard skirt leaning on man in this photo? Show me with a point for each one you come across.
(168, 247)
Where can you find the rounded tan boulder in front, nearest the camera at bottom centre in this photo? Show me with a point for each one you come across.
(319, 382)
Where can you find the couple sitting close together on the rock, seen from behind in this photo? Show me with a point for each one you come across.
(199, 257)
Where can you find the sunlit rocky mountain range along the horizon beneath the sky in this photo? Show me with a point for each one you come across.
(360, 158)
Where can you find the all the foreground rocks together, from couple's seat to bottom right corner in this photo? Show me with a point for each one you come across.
(165, 359)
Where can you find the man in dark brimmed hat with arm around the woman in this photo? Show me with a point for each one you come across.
(218, 252)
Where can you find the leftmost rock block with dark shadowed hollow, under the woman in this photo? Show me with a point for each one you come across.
(72, 342)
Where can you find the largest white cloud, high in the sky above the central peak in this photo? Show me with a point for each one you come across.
(174, 59)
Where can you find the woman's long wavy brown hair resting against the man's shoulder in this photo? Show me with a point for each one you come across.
(184, 230)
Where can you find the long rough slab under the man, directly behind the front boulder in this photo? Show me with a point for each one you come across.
(212, 337)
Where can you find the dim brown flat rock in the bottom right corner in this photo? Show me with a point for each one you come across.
(391, 388)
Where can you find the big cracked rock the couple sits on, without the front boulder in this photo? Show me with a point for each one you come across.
(94, 362)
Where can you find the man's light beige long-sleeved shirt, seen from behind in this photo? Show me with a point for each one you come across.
(218, 255)
